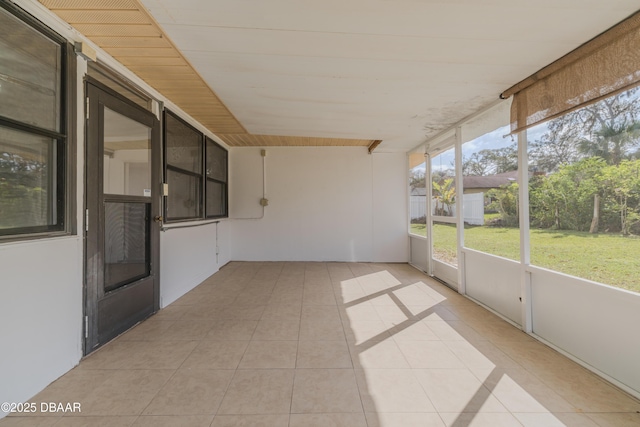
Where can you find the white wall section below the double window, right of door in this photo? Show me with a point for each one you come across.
(187, 257)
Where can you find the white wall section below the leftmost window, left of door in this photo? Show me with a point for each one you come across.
(40, 314)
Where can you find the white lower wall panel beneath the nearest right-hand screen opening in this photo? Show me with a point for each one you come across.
(595, 323)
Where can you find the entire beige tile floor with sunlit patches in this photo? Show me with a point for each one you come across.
(329, 344)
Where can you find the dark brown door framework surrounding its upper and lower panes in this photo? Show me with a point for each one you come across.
(140, 298)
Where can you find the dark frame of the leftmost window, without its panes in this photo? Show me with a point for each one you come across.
(63, 155)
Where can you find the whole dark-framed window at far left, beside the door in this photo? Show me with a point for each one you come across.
(34, 144)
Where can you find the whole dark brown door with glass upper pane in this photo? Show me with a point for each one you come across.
(122, 196)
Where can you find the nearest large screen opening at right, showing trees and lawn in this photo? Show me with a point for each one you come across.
(584, 191)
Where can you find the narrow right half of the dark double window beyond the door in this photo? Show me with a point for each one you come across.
(216, 185)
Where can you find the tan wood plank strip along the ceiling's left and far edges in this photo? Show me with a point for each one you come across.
(125, 30)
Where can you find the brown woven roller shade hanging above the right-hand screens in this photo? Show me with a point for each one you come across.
(608, 64)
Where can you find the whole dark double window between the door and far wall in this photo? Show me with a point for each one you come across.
(197, 180)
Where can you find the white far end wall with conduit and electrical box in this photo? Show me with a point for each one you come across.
(325, 204)
